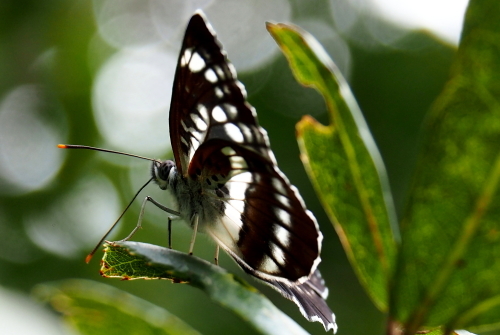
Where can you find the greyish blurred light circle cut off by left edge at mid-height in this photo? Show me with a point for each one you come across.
(28, 157)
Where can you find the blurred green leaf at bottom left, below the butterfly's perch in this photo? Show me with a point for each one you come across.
(93, 308)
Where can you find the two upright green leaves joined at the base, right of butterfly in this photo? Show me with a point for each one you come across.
(448, 261)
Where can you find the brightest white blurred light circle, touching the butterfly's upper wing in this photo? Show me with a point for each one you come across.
(131, 99)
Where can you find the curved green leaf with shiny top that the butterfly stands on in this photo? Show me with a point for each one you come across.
(133, 260)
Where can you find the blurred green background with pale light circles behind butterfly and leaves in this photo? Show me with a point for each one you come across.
(56, 81)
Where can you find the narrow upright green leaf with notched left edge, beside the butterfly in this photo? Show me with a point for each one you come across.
(344, 164)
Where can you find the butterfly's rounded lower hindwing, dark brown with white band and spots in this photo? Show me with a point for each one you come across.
(264, 223)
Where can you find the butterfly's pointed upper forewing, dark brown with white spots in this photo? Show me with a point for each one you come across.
(205, 92)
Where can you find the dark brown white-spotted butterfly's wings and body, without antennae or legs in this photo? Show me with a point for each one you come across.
(226, 180)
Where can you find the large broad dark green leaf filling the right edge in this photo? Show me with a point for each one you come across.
(449, 264)
